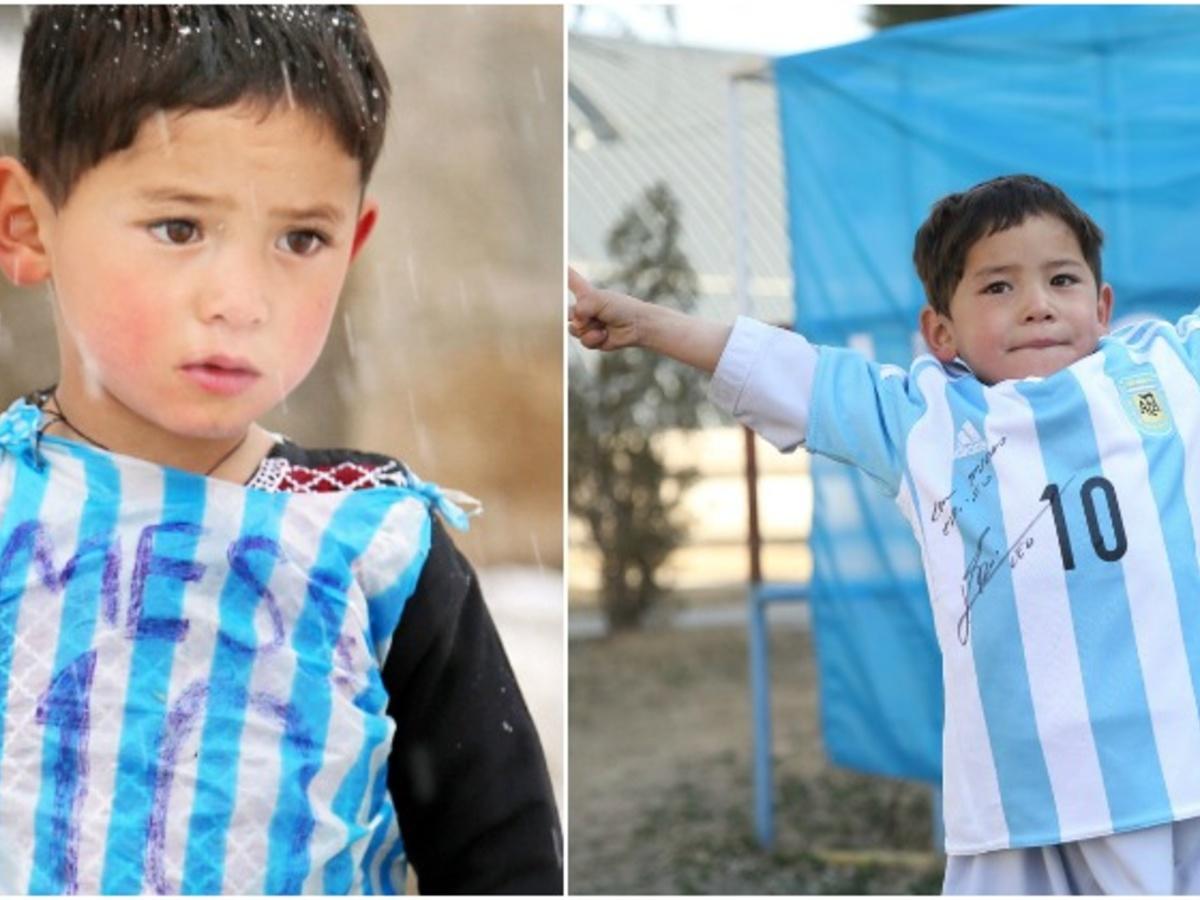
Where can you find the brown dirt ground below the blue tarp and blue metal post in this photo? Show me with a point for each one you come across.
(662, 787)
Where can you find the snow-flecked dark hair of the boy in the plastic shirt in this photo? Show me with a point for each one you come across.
(91, 76)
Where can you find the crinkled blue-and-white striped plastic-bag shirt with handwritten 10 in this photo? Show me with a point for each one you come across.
(190, 676)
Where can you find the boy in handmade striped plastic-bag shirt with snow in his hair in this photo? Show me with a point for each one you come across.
(227, 664)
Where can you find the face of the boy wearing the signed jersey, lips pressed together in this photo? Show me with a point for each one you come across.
(1028, 305)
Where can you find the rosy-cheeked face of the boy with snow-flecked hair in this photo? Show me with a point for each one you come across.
(196, 273)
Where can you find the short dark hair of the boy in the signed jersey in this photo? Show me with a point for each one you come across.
(959, 220)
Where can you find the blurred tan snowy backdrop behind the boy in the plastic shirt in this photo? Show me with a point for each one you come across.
(447, 352)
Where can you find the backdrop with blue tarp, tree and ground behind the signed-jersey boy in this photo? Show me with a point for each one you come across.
(755, 687)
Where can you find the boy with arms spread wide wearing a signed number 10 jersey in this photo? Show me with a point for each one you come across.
(1049, 473)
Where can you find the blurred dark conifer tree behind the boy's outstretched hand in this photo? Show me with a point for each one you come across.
(616, 403)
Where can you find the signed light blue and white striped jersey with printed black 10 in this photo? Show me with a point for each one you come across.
(1059, 523)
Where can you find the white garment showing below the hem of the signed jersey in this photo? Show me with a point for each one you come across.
(1165, 860)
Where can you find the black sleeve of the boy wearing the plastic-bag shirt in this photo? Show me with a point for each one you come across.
(467, 773)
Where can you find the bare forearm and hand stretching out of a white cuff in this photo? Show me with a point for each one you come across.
(610, 321)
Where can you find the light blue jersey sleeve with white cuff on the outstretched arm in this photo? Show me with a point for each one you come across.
(831, 400)
